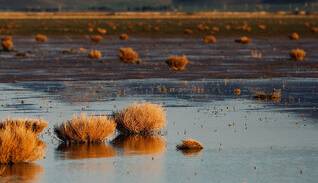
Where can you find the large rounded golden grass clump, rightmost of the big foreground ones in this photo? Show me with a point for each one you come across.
(142, 118)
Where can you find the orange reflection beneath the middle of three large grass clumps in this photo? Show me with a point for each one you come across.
(82, 151)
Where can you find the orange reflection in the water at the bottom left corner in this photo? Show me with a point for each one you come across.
(23, 172)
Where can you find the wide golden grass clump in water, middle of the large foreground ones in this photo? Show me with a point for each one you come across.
(85, 129)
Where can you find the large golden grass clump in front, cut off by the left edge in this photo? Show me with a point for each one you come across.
(19, 144)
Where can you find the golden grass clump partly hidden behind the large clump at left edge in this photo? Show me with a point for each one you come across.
(34, 125)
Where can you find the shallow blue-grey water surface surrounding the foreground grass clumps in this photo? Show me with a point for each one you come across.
(245, 140)
